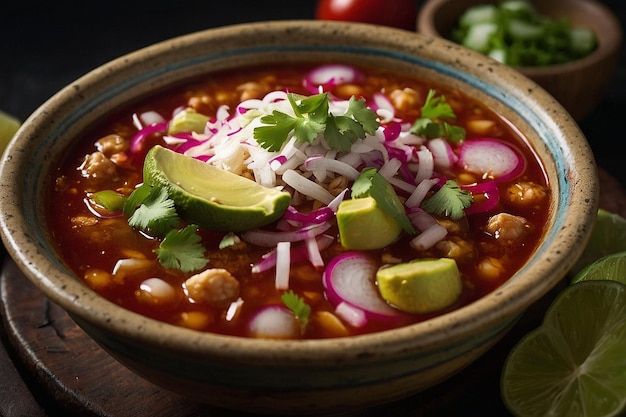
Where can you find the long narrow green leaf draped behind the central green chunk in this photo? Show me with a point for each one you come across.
(371, 183)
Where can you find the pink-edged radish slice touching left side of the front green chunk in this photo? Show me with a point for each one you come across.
(349, 278)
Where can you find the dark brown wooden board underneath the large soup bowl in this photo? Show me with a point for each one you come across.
(49, 366)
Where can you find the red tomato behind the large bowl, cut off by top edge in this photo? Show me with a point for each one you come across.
(396, 13)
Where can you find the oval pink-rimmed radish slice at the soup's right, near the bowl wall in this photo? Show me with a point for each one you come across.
(491, 158)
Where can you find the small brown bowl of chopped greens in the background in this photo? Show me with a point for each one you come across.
(578, 85)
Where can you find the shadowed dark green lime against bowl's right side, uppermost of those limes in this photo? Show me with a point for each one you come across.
(608, 236)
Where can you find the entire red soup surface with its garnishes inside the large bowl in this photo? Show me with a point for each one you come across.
(449, 179)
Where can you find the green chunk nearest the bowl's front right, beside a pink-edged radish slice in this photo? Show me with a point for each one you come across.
(420, 286)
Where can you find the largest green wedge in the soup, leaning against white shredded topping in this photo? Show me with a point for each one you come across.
(212, 198)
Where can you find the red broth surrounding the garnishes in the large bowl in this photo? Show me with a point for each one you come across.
(92, 241)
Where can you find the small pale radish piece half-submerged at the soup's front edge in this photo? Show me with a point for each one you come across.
(274, 322)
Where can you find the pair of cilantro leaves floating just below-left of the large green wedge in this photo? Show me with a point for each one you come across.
(150, 210)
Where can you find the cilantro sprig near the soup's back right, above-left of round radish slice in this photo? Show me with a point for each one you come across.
(431, 122)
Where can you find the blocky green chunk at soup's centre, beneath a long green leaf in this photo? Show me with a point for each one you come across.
(357, 217)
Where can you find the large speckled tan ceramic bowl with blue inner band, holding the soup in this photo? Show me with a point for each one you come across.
(311, 376)
